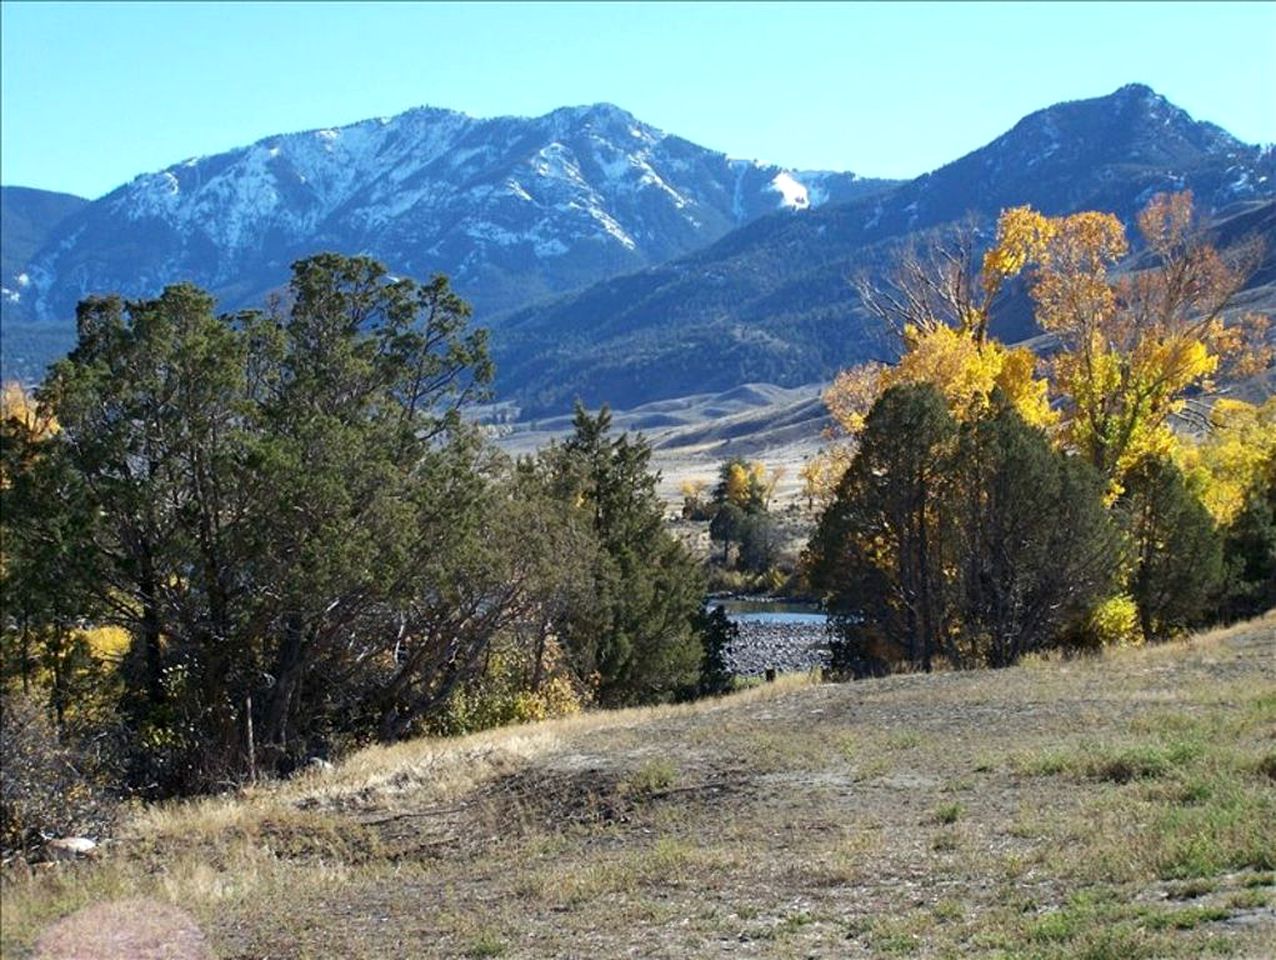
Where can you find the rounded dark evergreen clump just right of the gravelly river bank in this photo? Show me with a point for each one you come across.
(974, 542)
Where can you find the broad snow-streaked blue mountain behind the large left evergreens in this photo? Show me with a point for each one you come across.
(511, 209)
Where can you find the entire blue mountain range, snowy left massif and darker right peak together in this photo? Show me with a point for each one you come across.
(701, 287)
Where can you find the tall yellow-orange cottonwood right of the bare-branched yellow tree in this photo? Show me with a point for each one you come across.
(1136, 343)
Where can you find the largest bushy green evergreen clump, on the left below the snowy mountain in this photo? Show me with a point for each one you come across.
(288, 511)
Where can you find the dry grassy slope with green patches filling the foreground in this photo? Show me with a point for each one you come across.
(1118, 807)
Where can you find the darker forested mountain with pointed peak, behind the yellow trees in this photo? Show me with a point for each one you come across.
(771, 302)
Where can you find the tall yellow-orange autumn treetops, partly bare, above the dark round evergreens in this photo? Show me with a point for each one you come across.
(1131, 347)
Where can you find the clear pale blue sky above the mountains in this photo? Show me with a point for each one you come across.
(93, 95)
